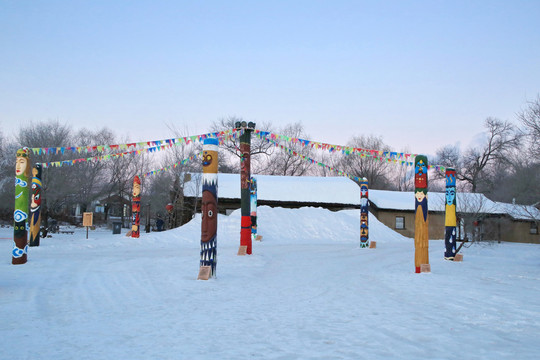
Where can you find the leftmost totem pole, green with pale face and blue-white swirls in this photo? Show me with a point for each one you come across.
(20, 215)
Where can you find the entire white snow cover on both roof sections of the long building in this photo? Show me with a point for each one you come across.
(341, 190)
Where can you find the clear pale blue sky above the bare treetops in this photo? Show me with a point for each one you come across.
(421, 74)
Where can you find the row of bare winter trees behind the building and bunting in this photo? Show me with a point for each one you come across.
(504, 165)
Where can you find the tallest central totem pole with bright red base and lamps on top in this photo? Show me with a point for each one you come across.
(245, 174)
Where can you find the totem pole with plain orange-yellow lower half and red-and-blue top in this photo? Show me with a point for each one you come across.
(421, 235)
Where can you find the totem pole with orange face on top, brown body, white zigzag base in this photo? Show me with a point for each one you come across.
(209, 209)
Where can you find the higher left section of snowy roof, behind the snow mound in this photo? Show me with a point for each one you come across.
(330, 190)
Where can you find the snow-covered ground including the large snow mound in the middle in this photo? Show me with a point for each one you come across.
(307, 292)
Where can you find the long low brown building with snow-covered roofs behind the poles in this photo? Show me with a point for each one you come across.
(480, 218)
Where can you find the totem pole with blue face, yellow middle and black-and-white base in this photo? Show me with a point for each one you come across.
(450, 221)
